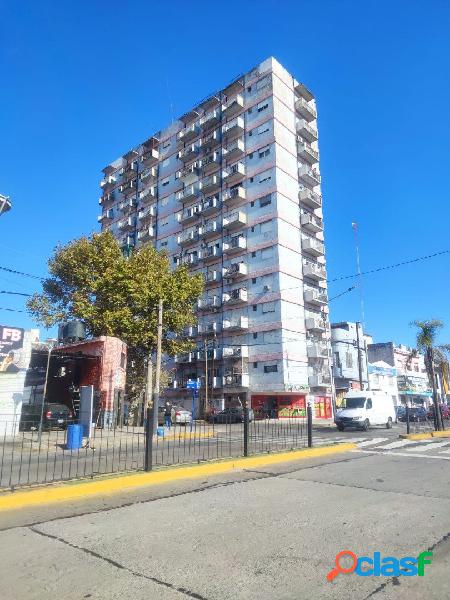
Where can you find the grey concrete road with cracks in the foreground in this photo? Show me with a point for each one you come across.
(270, 534)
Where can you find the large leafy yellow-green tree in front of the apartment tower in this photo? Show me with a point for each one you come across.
(91, 280)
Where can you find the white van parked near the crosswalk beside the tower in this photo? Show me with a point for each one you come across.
(363, 409)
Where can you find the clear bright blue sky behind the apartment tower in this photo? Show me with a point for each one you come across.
(84, 81)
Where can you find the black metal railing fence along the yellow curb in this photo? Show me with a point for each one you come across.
(29, 456)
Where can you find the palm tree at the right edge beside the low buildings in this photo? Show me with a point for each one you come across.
(435, 355)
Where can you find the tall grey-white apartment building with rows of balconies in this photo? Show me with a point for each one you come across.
(232, 189)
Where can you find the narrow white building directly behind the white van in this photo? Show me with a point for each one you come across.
(349, 357)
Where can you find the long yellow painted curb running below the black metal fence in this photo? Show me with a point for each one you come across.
(88, 488)
